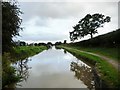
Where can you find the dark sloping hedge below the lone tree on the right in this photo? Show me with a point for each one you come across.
(110, 39)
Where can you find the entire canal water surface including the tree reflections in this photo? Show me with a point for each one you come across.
(54, 68)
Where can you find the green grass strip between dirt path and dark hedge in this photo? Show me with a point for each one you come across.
(109, 52)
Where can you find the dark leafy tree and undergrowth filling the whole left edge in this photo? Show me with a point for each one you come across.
(11, 22)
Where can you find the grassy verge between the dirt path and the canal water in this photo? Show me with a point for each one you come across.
(106, 71)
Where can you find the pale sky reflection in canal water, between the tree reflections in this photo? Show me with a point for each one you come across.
(51, 68)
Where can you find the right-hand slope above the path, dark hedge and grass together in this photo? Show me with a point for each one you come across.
(107, 44)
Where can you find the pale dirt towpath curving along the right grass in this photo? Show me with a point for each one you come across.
(109, 60)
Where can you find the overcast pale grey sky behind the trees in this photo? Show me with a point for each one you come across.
(52, 21)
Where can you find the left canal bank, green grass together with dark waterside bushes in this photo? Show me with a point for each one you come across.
(9, 75)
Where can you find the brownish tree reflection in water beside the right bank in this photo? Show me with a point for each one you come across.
(83, 73)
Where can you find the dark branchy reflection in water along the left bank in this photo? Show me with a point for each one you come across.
(22, 69)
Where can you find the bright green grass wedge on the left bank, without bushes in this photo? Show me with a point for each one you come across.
(23, 52)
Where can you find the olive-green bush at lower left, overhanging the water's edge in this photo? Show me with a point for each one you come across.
(8, 72)
